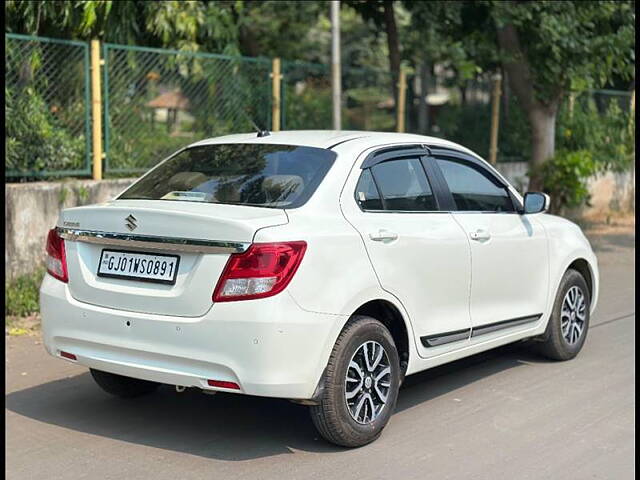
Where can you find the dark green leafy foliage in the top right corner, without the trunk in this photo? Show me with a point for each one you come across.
(570, 46)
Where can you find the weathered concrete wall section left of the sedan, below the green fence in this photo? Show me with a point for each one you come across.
(31, 209)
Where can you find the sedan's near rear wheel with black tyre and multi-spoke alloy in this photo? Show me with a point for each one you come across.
(360, 384)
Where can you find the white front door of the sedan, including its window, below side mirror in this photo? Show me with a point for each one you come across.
(509, 257)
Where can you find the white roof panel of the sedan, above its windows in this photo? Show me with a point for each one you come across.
(330, 138)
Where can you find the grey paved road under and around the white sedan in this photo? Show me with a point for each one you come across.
(506, 414)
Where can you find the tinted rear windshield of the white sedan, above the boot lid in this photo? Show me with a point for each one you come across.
(276, 176)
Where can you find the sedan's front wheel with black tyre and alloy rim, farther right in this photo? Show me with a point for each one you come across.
(569, 322)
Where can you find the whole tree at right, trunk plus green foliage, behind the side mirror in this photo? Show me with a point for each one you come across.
(552, 48)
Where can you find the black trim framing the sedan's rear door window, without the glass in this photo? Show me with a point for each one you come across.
(398, 152)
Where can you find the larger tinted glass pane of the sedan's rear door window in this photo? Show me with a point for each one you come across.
(404, 185)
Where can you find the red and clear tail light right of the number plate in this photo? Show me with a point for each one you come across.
(265, 269)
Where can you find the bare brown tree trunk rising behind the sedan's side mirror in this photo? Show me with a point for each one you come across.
(543, 132)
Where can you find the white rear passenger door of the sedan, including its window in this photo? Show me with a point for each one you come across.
(419, 253)
